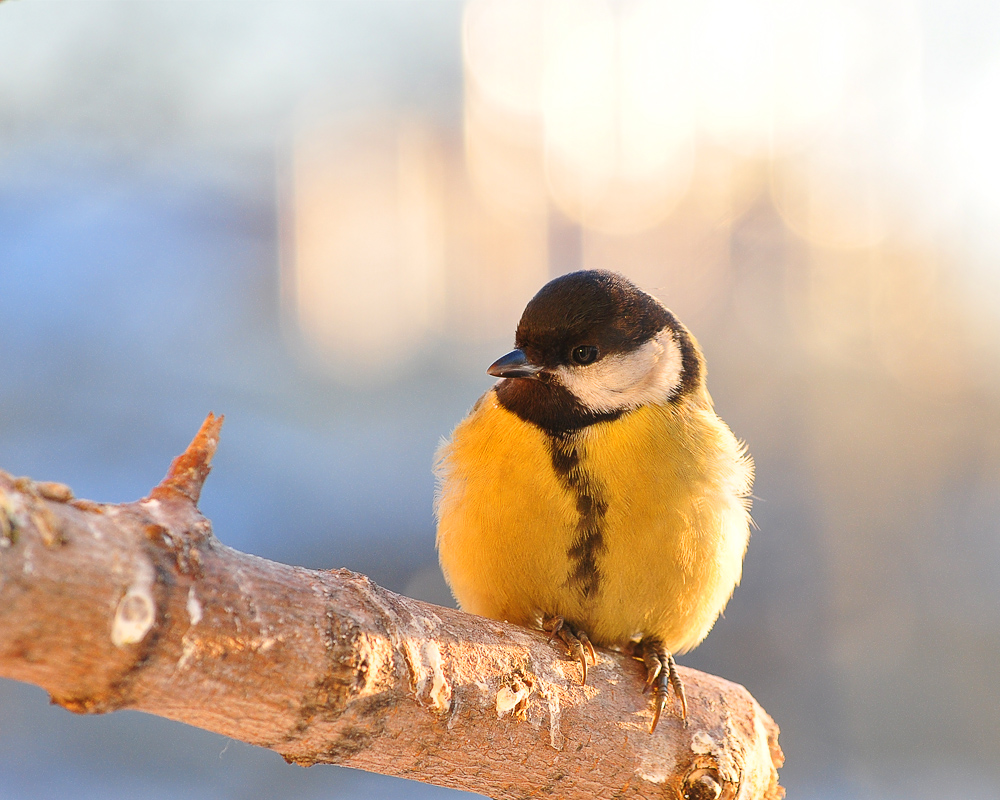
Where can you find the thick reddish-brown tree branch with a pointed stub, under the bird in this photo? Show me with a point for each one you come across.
(139, 606)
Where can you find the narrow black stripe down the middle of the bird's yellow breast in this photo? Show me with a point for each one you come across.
(591, 507)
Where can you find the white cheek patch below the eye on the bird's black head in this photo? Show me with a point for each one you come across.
(650, 374)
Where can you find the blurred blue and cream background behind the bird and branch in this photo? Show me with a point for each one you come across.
(323, 220)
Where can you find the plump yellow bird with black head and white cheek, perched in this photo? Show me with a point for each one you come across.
(593, 492)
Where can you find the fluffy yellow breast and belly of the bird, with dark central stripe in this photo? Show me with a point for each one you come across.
(634, 527)
